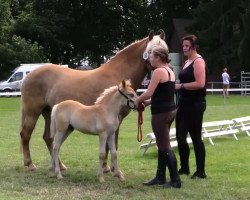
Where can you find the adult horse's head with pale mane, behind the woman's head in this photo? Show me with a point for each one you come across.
(153, 41)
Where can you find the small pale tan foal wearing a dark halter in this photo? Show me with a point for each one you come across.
(100, 119)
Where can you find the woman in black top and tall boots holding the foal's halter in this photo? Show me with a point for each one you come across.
(163, 109)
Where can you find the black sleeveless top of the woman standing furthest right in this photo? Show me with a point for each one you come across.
(187, 76)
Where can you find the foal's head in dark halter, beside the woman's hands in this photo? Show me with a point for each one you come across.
(128, 92)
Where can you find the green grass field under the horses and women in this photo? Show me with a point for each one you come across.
(227, 162)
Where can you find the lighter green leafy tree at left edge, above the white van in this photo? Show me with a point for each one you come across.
(13, 49)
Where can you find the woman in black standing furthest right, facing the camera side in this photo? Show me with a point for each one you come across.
(191, 107)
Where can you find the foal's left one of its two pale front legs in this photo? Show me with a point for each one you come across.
(102, 154)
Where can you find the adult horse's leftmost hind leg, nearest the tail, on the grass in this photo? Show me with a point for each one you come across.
(28, 126)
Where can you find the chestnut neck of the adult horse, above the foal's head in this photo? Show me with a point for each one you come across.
(128, 64)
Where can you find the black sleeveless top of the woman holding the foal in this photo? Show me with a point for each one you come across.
(162, 99)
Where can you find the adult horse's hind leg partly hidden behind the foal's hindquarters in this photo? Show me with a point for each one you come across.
(46, 135)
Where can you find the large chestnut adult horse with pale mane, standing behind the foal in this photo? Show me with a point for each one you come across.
(49, 85)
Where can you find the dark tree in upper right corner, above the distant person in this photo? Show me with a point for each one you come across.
(219, 25)
